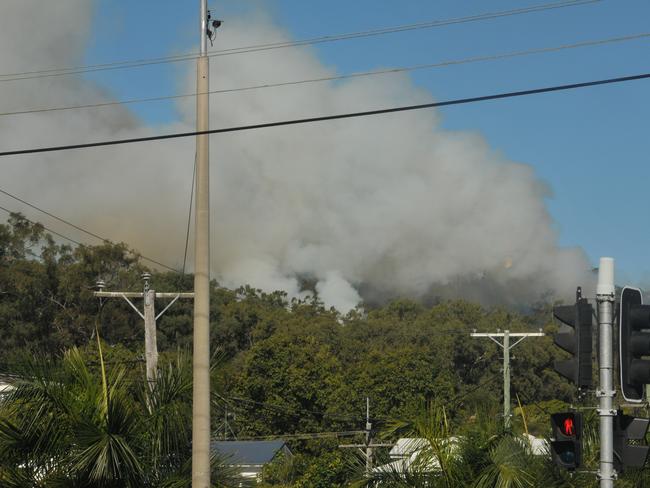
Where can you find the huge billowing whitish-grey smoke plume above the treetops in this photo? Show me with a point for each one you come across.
(371, 207)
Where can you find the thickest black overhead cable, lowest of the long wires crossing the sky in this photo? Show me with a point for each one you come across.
(347, 115)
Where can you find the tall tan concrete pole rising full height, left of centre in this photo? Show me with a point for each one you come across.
(201, 356)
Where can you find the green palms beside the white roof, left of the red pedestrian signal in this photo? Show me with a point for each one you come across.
(478, 455)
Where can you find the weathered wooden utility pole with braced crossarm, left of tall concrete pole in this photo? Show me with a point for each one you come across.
(148, 315)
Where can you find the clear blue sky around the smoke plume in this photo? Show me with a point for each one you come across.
(590, 146)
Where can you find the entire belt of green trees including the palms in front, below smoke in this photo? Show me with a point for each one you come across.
(281, 368)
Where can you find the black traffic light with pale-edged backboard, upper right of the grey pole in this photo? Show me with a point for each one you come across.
(634, 343)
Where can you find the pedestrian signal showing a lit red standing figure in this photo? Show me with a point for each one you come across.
(566, 443)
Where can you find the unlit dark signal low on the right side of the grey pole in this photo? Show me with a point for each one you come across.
(628, 428)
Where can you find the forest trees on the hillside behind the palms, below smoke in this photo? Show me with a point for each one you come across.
(281, 366)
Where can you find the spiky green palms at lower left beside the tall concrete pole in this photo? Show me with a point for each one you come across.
(65, 425)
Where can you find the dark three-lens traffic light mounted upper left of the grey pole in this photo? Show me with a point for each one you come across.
(576, 341)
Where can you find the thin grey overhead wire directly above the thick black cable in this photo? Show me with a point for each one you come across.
(388, 71)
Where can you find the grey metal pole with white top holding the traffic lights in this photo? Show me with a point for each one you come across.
(605, 300)
